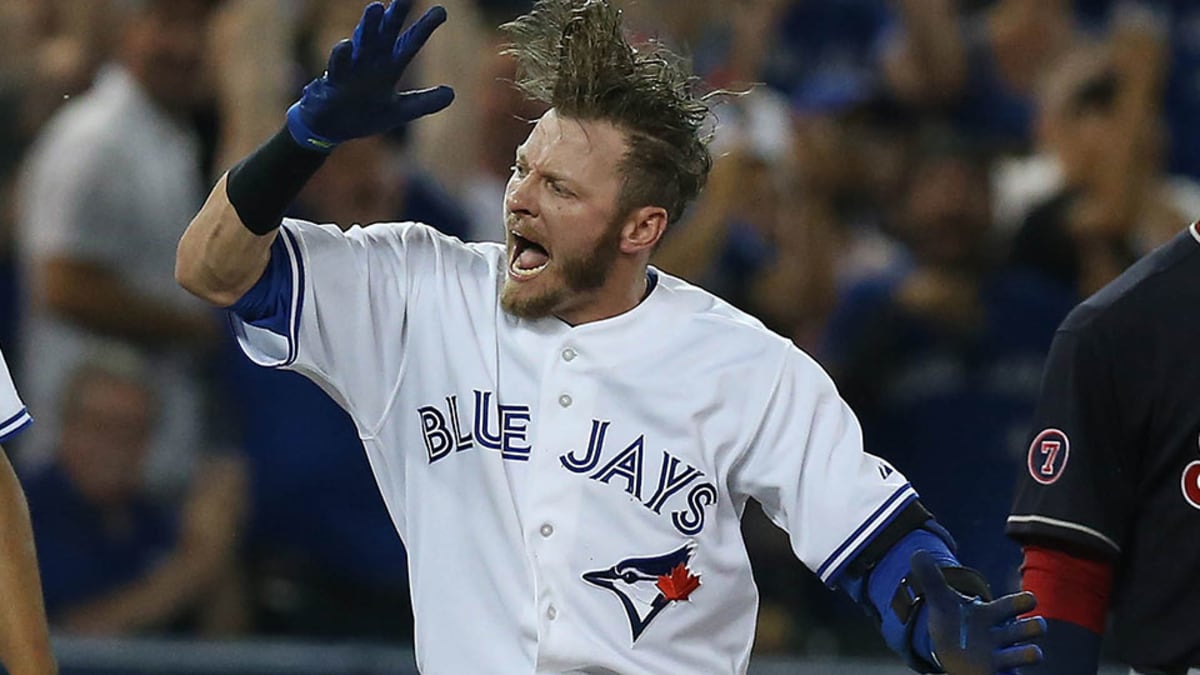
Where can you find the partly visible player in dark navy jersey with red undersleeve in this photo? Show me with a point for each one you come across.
(1109, 507)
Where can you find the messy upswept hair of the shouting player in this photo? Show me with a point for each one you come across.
(574, 57)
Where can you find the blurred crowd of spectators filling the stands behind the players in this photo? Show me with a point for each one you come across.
(915, 192)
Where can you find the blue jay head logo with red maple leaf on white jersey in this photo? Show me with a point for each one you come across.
(647, 586)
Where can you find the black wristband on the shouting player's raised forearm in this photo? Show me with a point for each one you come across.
(263, 186)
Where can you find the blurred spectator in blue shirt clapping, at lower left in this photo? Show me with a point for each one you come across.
(113, 560)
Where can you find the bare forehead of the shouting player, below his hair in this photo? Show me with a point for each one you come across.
(574, 146)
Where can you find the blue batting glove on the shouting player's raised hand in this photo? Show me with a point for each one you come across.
(357, 97)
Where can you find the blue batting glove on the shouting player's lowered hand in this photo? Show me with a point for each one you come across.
(973, 637)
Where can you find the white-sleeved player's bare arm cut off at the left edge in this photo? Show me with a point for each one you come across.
(25, 638)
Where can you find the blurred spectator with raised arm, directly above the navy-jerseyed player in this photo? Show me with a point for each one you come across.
(1112, 200)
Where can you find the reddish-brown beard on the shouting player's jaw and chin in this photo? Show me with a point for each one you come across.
(568, 277)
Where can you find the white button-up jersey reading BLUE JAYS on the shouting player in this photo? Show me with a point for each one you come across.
(571, 497)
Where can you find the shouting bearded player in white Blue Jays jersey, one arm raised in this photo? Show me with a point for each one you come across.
(566, 438)
